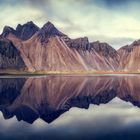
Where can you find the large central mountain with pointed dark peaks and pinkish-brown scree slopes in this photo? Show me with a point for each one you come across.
(48, 49)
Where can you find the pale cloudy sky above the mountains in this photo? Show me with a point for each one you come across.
(116, 22)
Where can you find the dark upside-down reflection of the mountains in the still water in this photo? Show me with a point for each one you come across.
(49, 97)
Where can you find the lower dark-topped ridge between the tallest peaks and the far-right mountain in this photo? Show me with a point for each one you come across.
(94, 57)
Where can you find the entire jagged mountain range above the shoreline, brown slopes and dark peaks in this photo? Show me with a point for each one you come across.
(29, 48)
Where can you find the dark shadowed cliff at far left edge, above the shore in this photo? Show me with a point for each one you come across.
(9, 56)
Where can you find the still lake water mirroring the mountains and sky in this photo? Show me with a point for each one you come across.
(70, 107)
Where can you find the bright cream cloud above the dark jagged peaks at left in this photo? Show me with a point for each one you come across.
(14, 18)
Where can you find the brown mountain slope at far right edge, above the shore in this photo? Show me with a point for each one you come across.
(130, 56)
